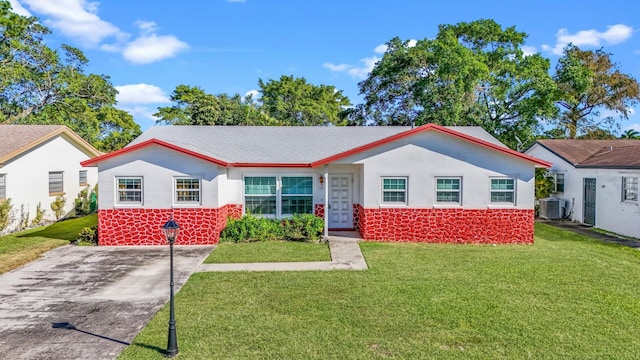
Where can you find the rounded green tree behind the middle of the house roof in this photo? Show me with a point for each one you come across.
(294, 101)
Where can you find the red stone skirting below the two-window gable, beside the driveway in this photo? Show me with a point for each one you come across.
(143, 226)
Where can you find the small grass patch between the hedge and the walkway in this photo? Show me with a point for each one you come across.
(269, 251)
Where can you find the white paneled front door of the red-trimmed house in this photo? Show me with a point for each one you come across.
(340, 206)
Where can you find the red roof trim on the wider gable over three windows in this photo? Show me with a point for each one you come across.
(429, 127)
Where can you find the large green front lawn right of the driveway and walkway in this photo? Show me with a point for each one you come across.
(566, 297)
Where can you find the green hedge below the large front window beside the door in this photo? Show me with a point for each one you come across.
(251, 228)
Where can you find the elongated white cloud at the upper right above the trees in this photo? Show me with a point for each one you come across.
(613, 35)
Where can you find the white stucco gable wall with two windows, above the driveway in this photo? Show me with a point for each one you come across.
(158, 167)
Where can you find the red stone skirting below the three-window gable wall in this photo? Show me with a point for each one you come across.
(477, 226)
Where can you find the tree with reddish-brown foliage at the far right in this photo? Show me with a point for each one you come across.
(589, 82)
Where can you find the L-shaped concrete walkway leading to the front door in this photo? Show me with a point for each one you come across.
(345, 255)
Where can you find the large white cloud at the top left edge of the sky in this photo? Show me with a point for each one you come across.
(77, 19)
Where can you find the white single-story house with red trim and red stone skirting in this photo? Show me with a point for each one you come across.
(425, 184)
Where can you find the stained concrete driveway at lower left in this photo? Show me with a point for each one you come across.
(87, 302)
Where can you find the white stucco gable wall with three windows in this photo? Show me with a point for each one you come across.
(425, 156)
